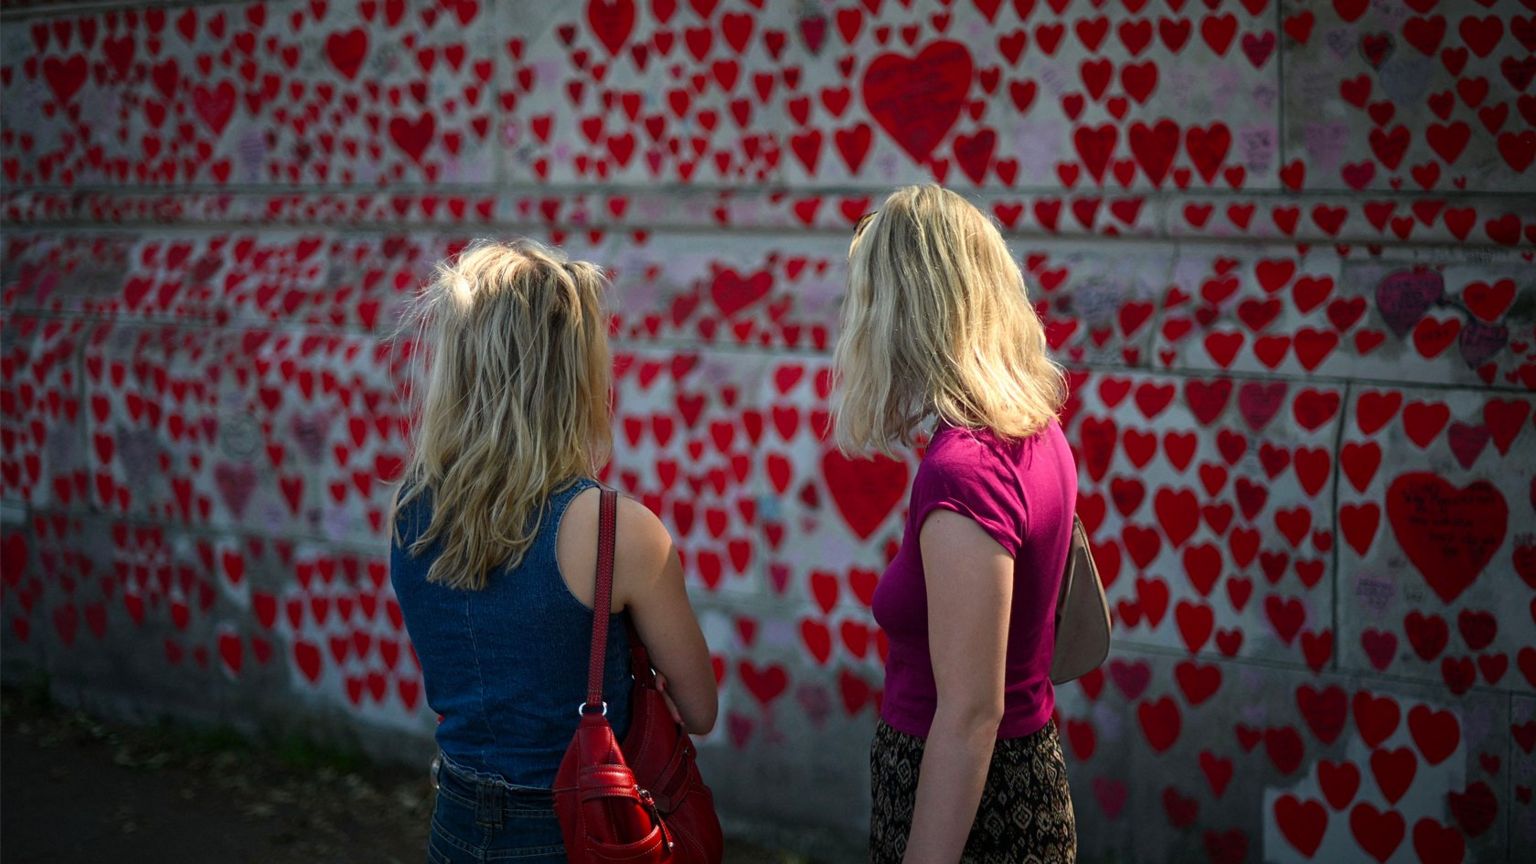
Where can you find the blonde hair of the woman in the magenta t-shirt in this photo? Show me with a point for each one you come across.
(936, 325)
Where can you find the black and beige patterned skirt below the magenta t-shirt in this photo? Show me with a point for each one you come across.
(1025, 816)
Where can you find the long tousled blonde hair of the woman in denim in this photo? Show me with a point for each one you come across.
(514, 350)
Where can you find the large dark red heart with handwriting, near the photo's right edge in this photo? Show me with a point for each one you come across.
(1448, 533)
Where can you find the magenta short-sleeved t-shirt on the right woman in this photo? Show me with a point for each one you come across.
(1024, 496)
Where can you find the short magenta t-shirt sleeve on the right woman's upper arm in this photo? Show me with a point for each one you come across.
(965, 479)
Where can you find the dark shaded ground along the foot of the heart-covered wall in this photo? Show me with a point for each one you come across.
(74, 789)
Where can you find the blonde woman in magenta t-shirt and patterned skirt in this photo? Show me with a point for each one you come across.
(939, 339)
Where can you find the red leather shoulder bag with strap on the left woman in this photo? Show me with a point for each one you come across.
(643, 802)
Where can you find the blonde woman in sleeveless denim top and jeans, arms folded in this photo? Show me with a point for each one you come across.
(495, 551)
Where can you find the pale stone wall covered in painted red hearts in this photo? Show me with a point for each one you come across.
(1286, 250)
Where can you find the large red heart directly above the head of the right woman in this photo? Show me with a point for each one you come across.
(919, 99)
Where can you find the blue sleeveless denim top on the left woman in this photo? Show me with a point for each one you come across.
(506, 666)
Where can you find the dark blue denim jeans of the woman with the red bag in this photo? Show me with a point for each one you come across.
(483, 819)
